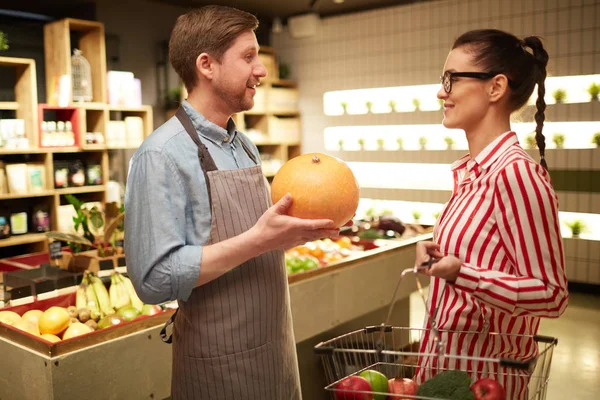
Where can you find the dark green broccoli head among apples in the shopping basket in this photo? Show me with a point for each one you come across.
(451, 385)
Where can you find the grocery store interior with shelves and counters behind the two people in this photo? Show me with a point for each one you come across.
(84, 82)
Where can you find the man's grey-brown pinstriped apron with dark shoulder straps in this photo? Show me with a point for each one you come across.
(233, 338)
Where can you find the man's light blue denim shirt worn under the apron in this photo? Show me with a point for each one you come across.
(168, 216)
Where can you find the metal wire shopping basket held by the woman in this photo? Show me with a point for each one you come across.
(395, 352)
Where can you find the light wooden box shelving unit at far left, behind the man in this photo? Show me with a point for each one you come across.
(60, 37)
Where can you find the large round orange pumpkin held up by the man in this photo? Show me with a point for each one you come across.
(322, 187)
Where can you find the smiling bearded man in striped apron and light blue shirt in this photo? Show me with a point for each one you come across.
(200, 227)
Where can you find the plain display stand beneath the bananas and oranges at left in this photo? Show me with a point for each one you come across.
(127, 361)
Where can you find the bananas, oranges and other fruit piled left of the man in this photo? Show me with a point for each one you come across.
(95, 308)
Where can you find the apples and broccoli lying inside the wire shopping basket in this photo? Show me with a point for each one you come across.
(371, 384)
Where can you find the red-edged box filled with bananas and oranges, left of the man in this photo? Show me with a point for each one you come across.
(91, 315)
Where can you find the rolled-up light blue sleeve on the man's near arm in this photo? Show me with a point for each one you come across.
(160, 264)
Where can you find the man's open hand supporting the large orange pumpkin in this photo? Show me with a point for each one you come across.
(277, 230)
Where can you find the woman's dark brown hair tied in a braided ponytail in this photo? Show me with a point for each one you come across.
(500, 52)
